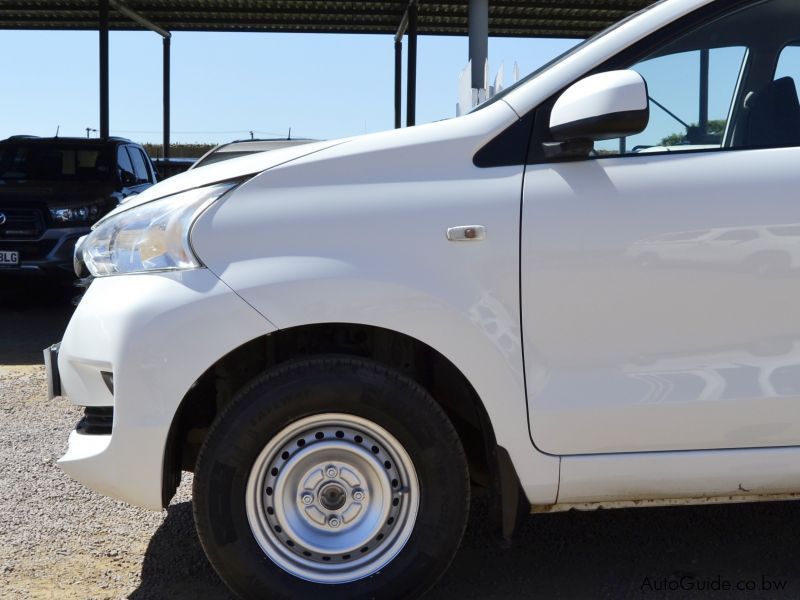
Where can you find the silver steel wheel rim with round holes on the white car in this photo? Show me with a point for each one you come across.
(332, 498)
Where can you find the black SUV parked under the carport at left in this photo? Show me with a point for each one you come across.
(53, 189)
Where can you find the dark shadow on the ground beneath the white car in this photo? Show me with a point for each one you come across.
(611, 555)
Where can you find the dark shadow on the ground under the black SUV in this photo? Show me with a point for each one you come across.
(31, 318)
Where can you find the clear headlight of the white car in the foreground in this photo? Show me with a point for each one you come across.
(150, 237)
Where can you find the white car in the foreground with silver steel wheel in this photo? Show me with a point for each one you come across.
(343, 340)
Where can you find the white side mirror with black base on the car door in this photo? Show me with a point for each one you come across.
(601, 107)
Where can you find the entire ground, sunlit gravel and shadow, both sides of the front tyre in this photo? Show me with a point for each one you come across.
(60, 540)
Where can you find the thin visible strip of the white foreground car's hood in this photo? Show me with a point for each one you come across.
(227, 170)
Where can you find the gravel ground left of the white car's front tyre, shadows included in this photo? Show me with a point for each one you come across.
(57, 538)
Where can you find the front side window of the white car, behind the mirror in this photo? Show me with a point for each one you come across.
(717, 86)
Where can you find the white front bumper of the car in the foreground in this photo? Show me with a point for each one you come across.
(156, 334)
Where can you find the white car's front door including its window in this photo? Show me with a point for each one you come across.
(661, 277)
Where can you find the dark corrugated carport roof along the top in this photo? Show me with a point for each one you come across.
(510, 18)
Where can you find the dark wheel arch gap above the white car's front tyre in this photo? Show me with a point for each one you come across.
(490, 466)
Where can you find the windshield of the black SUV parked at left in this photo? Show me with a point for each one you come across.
(47, 162)
